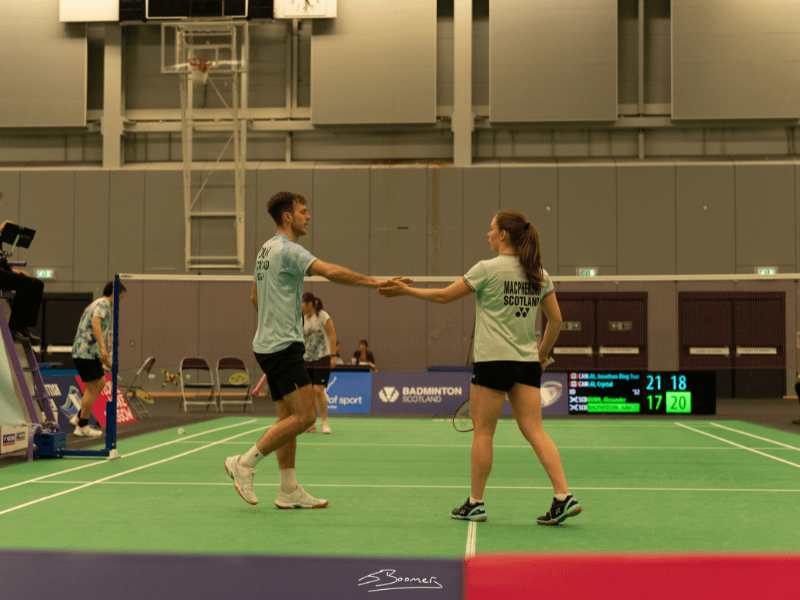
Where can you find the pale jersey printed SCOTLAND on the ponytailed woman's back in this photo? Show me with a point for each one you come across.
(506, 304)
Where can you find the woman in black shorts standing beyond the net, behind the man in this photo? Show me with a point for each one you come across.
(319, 336)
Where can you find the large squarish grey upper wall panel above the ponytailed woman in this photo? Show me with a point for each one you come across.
(549, 62)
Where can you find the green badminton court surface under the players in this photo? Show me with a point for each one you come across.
(651, 486)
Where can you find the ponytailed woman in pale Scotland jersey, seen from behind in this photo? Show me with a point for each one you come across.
(509, 290)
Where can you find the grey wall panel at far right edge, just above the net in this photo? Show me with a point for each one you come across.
(765, 214)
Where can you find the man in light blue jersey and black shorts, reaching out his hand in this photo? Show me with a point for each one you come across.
(277, 290)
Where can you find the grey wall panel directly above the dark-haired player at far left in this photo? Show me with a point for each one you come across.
(91, 225)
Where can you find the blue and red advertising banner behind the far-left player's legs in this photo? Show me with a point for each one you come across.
(66, 389)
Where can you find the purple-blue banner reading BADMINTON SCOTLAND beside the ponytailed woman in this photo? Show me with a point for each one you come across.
(419, 393)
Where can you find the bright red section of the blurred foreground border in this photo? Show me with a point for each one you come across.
(636, 576)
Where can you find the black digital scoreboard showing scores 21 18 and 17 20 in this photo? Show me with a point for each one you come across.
(642, 392)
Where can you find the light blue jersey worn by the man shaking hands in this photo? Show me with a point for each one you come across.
(281, 266)
